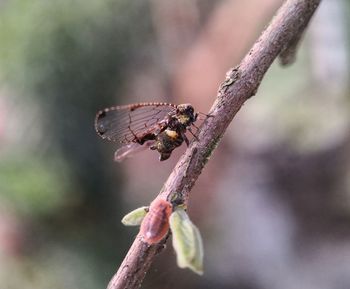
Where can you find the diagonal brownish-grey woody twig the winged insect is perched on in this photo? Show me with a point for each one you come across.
(240, 84)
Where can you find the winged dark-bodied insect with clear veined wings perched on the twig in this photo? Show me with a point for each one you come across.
(156, 125)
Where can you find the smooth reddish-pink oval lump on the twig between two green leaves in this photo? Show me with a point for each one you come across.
(155, 225)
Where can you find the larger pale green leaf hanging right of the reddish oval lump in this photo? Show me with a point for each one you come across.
(187, 241)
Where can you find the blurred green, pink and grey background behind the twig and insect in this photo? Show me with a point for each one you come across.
(273, 203)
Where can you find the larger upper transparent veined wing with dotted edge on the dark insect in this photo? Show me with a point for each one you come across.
(132, 123)
